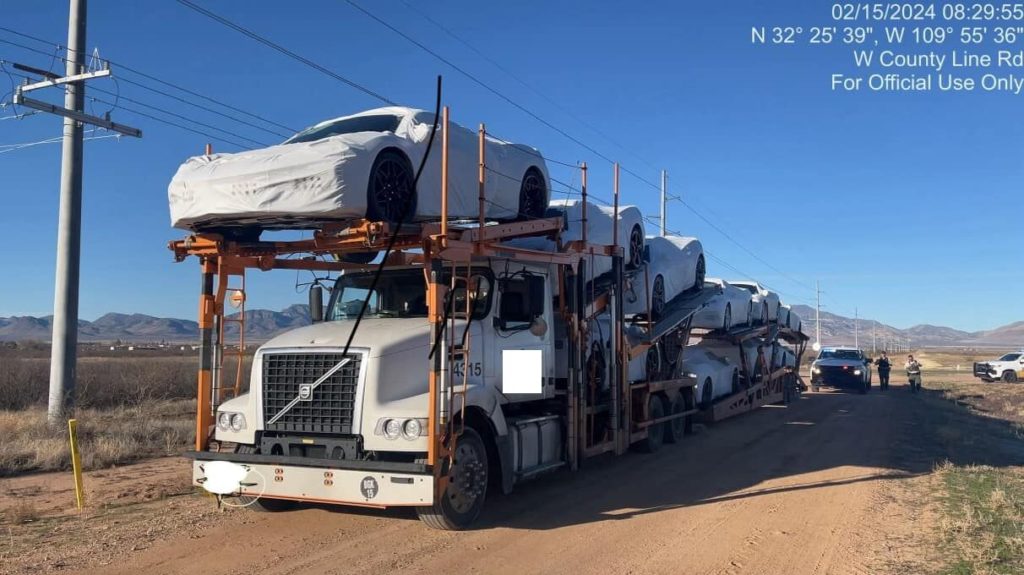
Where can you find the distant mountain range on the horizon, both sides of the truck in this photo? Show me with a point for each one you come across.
(263, 325)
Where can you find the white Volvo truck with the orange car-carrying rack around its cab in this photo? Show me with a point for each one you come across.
(478, 366)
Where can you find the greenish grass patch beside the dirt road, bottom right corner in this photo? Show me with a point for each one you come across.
(984, 526)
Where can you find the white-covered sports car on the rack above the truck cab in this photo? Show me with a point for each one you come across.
(360, 166)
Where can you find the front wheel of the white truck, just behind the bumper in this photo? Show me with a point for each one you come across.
(463, 499)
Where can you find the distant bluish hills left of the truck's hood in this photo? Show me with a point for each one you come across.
(262, 325)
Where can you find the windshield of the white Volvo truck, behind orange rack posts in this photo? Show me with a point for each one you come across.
(402, 293)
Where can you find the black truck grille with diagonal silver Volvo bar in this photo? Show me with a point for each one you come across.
(331, 405)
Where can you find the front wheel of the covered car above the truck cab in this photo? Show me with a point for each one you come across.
(392, 193)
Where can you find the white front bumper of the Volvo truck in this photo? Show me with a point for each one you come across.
(375, 484)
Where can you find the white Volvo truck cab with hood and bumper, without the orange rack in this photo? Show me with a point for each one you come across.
(360, 419)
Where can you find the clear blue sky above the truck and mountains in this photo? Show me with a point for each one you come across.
(901, 205)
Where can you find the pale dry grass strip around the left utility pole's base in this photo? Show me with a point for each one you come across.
(107, 437)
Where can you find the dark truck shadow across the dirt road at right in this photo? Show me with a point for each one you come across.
(891, 435)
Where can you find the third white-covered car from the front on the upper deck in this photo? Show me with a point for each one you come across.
(675, 266)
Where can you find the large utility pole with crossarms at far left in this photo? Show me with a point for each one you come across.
(65, 338)
